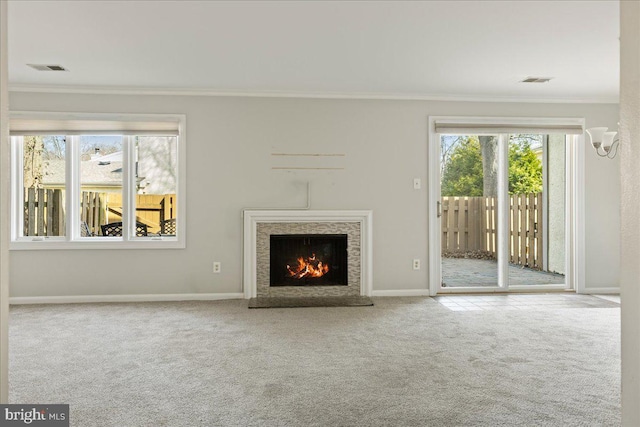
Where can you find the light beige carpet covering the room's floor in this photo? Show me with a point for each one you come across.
(402, 362)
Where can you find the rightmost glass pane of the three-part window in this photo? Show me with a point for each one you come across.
(156, 185)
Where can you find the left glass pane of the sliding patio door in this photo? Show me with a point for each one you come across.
(469, 189)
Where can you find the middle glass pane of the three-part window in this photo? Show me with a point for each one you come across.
(101, 186)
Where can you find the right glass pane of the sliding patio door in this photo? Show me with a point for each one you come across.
(537, 209)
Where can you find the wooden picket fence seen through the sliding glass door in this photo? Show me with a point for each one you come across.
(469, 224)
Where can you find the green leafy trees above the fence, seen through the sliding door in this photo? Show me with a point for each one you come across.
(470, 169)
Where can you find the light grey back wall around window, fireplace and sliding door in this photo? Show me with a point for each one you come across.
(230, 141)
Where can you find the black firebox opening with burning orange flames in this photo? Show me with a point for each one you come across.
(308, 260)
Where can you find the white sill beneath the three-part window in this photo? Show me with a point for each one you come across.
(98, 243)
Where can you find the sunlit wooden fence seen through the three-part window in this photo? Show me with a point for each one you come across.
(44, 210)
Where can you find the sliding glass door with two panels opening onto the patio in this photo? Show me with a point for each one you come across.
(502, 211)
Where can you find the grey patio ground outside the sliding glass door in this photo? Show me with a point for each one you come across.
(460, 272)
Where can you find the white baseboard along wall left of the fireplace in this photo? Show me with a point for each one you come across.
(123, 298)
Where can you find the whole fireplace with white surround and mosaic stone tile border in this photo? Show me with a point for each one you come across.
(347, 233)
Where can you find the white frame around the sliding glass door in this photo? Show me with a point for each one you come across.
(574, 205)
